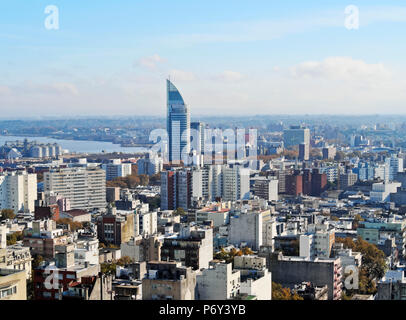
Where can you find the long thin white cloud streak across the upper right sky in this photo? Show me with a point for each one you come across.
(267, 29)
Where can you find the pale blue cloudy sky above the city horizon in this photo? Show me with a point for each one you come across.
(226, 57)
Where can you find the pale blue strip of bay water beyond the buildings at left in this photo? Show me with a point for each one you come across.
(78, 146)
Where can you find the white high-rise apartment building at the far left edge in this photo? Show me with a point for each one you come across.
(18, 191)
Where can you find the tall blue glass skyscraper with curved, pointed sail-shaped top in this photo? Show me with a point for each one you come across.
(177, 125)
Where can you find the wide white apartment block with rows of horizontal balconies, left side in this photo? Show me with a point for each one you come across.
(84, 188)
